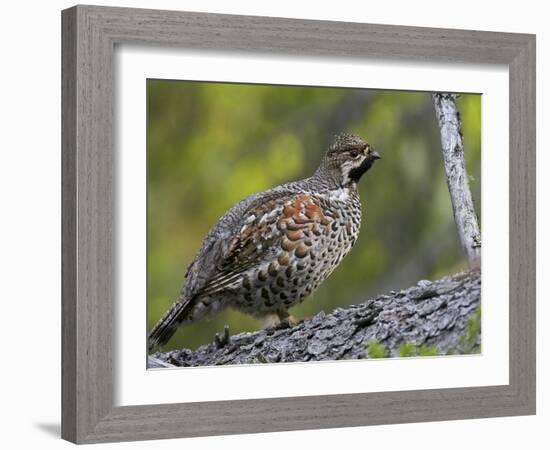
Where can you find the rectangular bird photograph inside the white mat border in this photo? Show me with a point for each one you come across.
(298, 250)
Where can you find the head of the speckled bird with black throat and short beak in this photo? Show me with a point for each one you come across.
(347, 159)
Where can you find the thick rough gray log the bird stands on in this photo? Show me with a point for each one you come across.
(430, 314)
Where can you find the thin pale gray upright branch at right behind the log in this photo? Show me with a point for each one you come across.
(457, 177)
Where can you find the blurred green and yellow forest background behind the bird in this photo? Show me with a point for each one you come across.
(211, 144)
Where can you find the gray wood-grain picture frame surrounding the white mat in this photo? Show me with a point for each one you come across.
(90, 34)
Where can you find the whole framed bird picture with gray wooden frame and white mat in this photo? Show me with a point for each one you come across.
(267, 222)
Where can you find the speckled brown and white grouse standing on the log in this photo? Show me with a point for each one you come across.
(273, 249)
